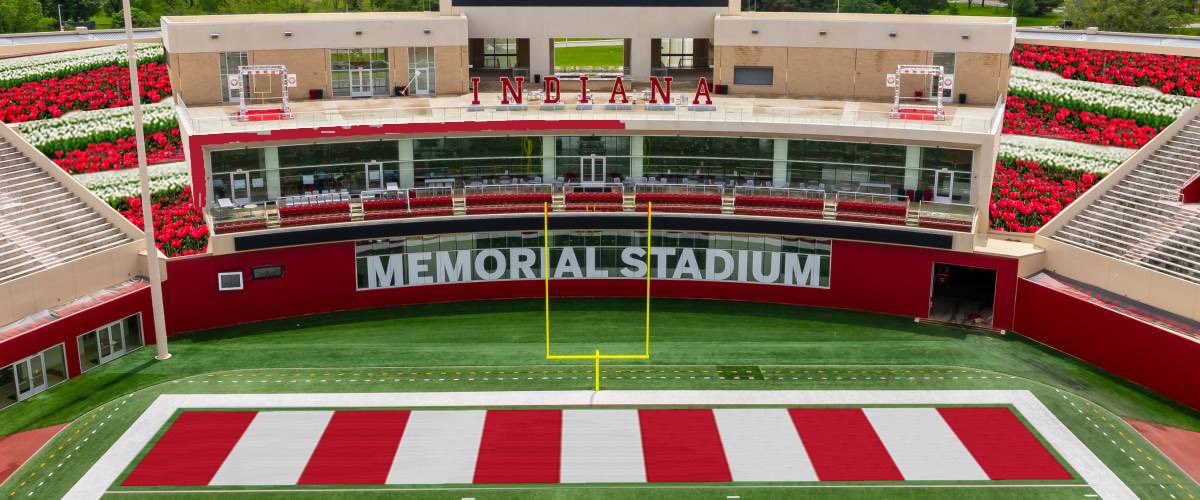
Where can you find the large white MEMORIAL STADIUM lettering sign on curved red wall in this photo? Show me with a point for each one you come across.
(500, 264)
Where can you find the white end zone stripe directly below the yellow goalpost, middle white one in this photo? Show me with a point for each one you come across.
(602, 447)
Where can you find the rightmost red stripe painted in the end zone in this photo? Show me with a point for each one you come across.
(1003, 445)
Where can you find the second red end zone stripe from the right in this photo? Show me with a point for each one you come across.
(843, 445)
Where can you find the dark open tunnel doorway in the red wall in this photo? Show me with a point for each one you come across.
(963, 296)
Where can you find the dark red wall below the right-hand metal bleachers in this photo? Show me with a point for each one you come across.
(1151, 357)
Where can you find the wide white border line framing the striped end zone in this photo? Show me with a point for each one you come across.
(106, 471)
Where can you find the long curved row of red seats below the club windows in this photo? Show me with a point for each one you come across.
(895, 213)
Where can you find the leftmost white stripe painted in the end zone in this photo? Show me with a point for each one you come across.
(274, 450)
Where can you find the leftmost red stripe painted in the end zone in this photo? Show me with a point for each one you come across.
(191, 451)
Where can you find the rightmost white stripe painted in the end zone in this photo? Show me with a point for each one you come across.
(923, 445)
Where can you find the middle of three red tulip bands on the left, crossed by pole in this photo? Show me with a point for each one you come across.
(122, 154)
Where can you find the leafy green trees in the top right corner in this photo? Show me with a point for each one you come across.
(1129, 16)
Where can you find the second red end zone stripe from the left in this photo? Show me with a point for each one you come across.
(357, 449)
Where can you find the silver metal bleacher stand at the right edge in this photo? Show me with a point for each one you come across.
(1141, 220)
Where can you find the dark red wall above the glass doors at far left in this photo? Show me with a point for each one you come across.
(68, 329)
